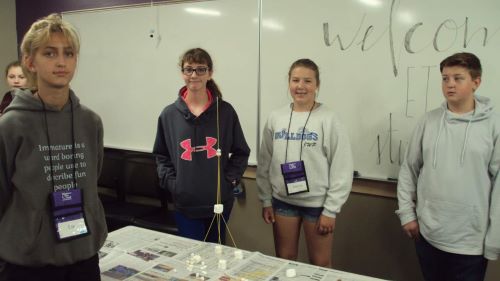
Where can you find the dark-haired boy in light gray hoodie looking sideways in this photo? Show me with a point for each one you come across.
(448, 189)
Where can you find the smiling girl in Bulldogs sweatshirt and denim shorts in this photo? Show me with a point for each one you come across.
(305, 168)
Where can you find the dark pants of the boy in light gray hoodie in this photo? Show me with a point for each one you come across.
(439, 265)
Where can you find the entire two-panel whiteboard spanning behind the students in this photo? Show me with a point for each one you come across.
(379, 81)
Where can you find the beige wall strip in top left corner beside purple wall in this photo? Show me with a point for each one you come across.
(8, 45)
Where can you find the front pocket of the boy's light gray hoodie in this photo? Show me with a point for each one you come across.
(451, 224)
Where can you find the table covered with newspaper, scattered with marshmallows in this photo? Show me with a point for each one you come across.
(137, 254)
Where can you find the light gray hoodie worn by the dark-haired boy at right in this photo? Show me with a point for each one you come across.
(449, 180)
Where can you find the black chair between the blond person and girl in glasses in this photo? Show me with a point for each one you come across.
(136, 198)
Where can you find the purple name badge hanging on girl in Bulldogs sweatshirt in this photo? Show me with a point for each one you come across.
(294, 174)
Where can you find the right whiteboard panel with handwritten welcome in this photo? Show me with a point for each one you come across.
(386, 73)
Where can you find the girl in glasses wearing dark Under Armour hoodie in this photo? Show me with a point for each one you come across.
(190, 132)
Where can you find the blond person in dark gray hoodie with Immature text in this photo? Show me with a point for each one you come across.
(52, 222)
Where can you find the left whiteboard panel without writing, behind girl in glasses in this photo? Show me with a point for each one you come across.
(128, 77)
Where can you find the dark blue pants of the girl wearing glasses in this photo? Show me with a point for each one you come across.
(198, 228)
